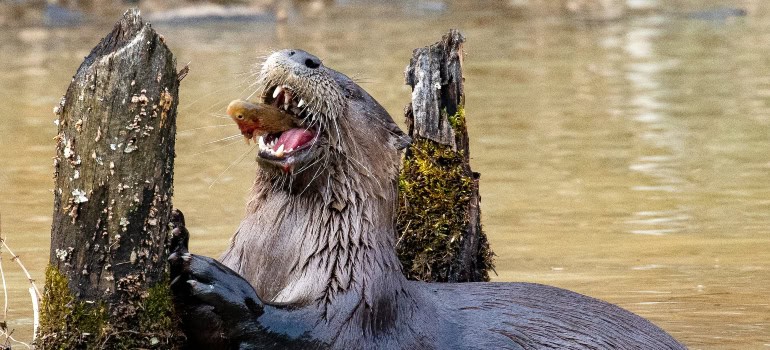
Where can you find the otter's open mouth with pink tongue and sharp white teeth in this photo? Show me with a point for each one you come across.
(285, 146)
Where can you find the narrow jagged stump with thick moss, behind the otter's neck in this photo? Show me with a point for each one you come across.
(439, 220)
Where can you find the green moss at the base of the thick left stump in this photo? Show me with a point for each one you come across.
(148, 322)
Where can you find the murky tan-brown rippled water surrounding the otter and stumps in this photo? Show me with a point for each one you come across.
(626, 160)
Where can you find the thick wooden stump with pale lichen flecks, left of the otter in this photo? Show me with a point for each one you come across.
(106, 285)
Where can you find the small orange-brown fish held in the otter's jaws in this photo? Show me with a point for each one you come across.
(258, 118)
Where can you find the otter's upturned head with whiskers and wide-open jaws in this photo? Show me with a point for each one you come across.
(340, 130)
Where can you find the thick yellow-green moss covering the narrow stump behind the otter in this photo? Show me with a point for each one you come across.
(434, 194)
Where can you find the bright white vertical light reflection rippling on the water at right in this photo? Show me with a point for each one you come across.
(658, 133)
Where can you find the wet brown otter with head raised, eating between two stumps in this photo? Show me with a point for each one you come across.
(313, 264)
